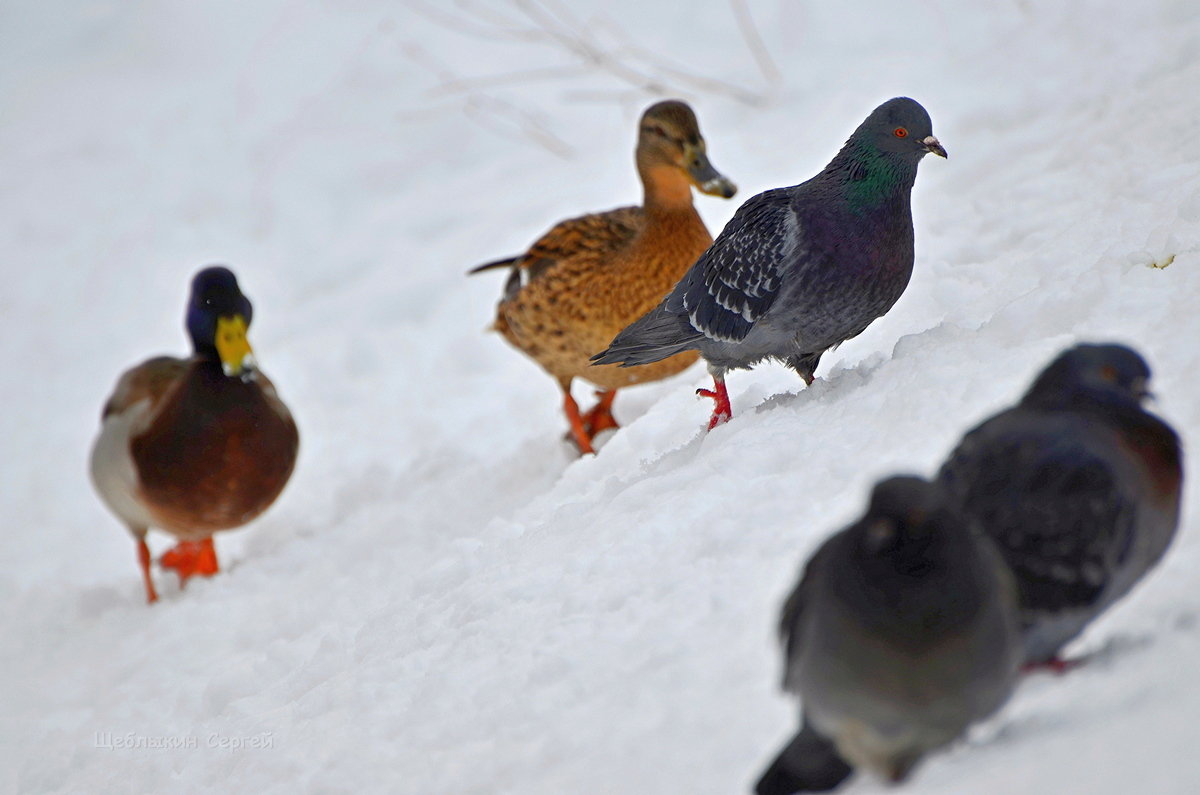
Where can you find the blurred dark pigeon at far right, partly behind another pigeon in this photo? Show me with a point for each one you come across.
(1078, 486)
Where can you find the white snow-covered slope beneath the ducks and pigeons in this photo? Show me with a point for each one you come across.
(445, 601)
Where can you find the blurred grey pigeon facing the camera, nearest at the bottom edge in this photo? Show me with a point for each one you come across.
(902, 633)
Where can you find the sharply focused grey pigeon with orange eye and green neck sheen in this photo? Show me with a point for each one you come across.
(799, 270)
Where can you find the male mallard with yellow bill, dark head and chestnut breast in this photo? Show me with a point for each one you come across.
(200, 445)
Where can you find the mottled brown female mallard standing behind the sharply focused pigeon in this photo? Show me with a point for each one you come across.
(589, 278)
